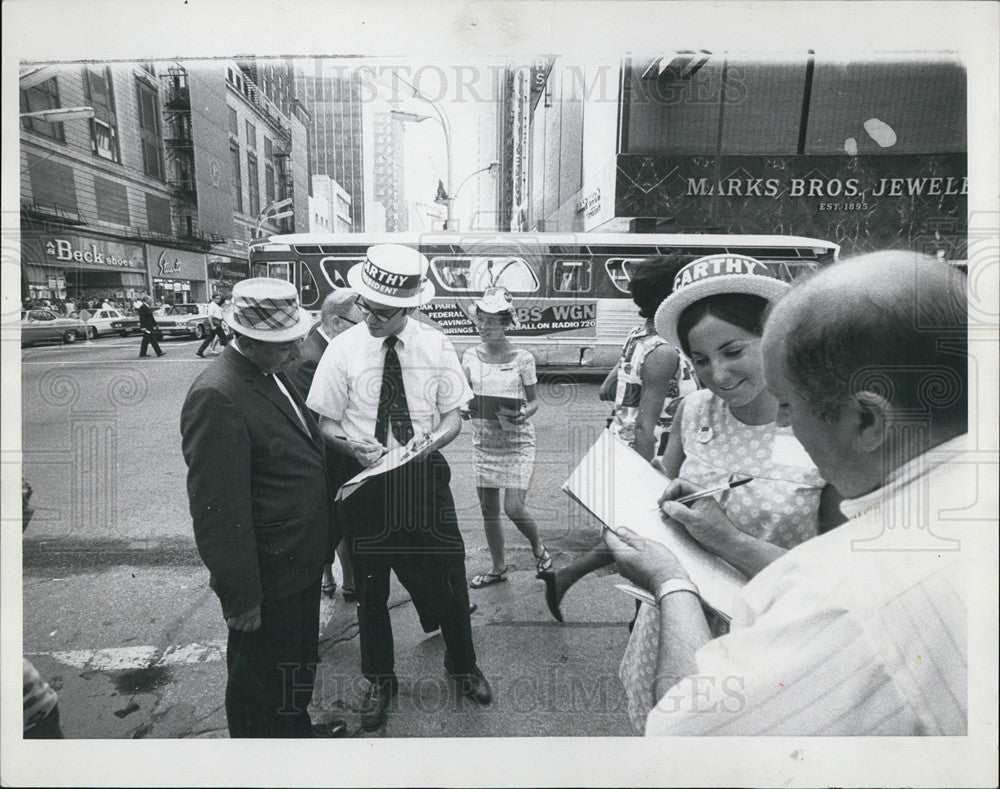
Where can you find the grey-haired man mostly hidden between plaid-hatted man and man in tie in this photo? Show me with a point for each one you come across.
(339, 312)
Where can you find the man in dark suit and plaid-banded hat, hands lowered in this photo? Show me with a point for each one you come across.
(260, 500)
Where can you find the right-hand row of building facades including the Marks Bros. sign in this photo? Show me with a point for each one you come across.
(700, 142)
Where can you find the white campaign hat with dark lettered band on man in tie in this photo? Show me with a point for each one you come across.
(393, 275)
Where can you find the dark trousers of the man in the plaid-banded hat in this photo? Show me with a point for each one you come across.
(272, 670)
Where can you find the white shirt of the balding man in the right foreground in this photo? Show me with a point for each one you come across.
(860, 631)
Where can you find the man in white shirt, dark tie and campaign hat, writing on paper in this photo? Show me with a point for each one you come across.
(396, 381)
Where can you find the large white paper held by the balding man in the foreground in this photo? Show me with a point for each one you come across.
(622, 490)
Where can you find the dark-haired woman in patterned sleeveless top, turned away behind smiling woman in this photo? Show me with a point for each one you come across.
(646, 385)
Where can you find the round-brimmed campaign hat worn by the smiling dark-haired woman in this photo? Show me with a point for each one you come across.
(712, 275)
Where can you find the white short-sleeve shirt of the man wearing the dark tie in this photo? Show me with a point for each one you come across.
(348, 378)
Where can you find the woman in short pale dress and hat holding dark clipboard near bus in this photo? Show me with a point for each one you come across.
(503, 443)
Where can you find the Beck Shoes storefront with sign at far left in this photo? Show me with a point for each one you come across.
(78, 267)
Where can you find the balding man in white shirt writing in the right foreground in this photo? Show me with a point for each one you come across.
(860, 631)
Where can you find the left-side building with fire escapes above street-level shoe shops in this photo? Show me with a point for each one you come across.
(155, 193)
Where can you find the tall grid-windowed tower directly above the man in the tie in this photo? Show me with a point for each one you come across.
(333, 95)
